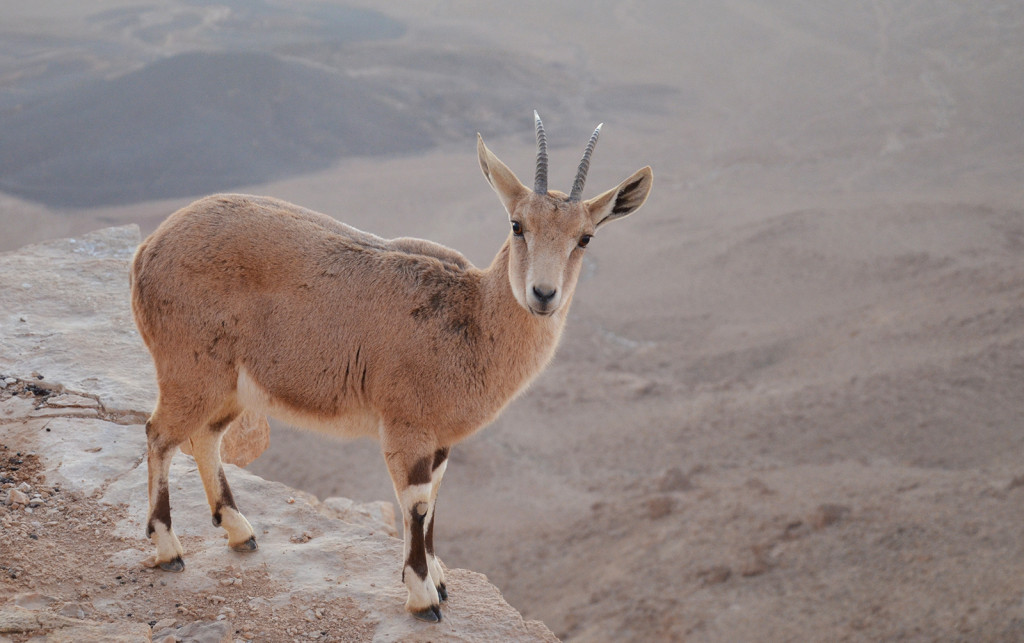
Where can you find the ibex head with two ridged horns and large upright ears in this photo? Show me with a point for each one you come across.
(550, 230)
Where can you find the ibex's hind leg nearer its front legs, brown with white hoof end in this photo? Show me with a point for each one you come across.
(206, 450)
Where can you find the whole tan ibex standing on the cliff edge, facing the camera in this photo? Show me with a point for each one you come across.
(250, 303)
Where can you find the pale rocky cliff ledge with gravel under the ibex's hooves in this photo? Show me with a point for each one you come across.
(75, 387)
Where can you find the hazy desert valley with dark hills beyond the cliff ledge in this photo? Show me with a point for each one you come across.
(790, 401)
